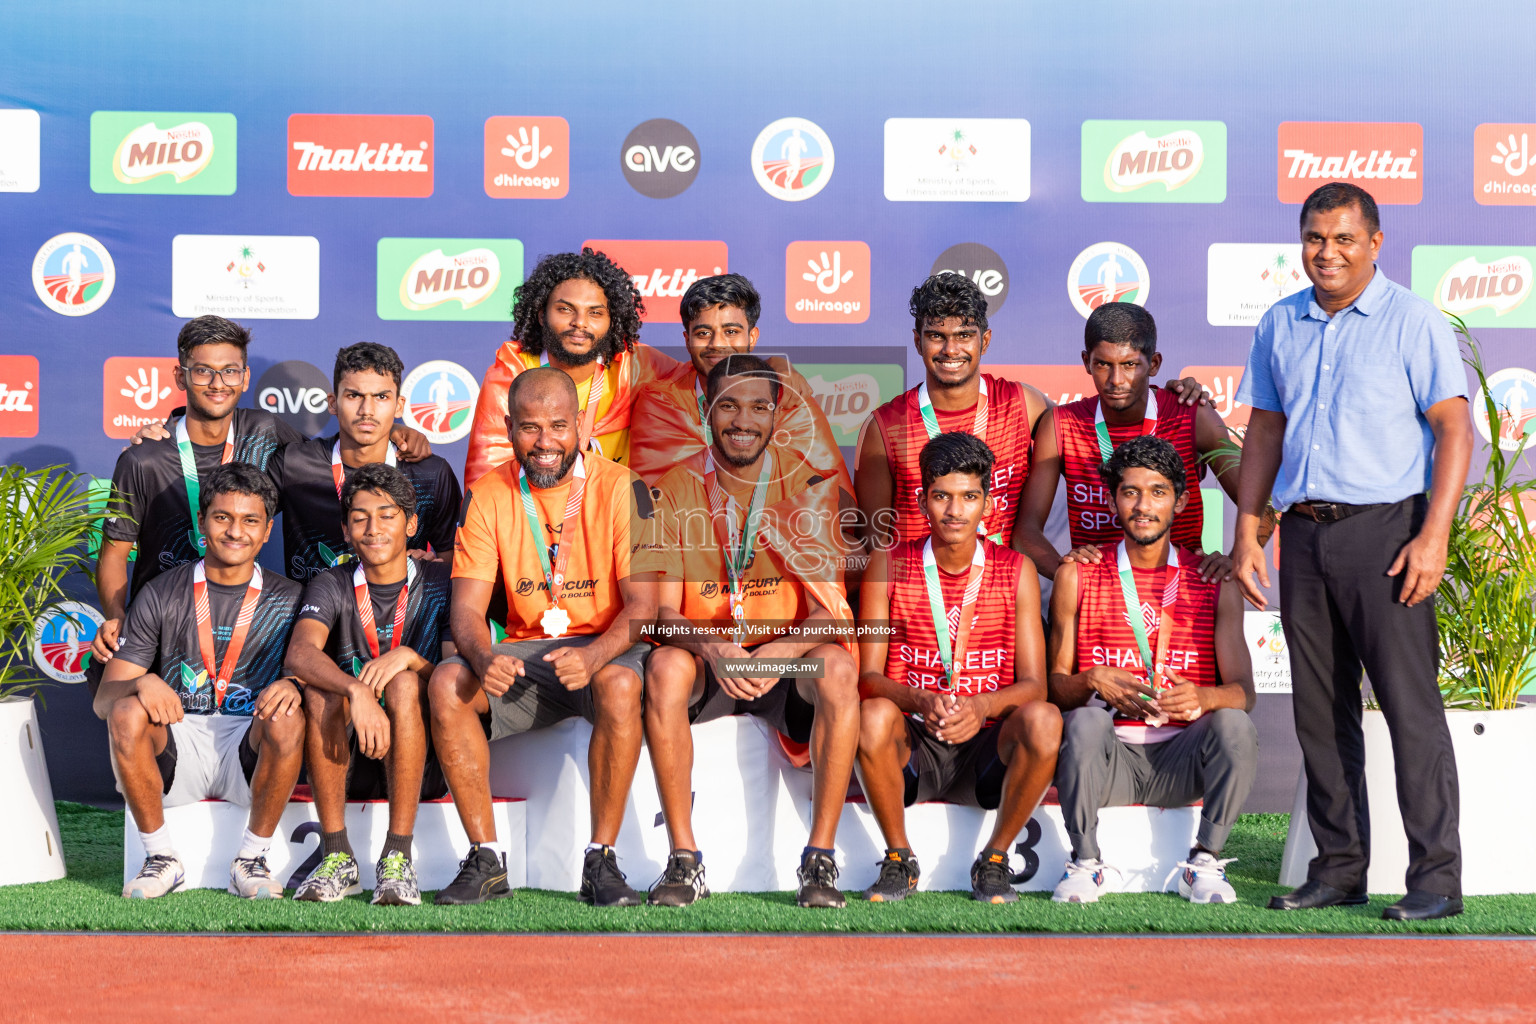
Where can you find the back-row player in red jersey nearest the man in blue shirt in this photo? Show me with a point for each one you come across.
(1073, 441)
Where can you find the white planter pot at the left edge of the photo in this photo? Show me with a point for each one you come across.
(27, 799)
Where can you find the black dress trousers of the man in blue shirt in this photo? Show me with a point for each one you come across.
(1342, 613)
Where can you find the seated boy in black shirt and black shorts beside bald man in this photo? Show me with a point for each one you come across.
(365, 646)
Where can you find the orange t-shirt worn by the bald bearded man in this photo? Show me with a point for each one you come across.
(612, 543)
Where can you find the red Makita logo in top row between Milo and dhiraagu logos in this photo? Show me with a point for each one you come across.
(360, 156)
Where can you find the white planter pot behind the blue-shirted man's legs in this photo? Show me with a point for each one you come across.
(1495, 762)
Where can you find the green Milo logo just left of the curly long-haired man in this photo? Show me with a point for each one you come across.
(448, 279)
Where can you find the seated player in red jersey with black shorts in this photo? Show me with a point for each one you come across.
(955, 696)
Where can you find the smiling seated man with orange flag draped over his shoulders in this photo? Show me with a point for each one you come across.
(752, 550)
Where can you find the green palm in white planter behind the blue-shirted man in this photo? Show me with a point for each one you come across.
(1486, 613)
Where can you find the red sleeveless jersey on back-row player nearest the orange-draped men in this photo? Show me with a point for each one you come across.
(1007, 435)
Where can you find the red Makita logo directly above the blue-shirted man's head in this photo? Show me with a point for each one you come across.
(1385, 159)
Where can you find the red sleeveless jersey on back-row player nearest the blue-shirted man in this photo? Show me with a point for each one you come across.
(1091, 514)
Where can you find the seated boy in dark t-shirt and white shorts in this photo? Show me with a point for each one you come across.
(194, 699)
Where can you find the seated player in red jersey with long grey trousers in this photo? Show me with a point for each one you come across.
(1165, 741)
